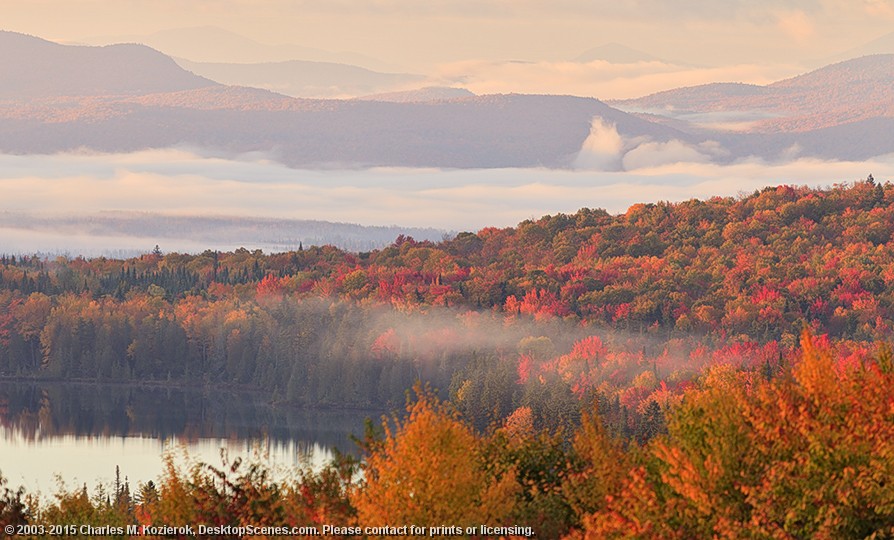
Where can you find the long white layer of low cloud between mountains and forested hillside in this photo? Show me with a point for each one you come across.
(184, 183)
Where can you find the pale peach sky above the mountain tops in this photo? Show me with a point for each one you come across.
(419, 34)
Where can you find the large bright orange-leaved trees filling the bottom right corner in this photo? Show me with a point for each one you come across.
(792, 457)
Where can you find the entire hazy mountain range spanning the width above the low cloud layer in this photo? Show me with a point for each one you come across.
(130, 97)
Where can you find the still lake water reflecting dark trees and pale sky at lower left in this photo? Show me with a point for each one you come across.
(81, 432)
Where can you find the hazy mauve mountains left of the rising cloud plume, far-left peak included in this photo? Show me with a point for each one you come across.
(172, 107)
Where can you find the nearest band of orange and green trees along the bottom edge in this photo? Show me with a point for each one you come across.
(807, 453)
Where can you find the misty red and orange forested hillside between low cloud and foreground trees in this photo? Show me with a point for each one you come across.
(629, 305)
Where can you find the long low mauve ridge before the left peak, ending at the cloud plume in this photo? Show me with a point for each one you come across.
(477, 132)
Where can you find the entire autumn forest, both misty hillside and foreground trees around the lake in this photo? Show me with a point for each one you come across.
(710, 368)
